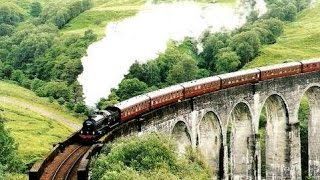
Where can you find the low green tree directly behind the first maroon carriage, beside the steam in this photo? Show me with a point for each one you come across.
(130, 87)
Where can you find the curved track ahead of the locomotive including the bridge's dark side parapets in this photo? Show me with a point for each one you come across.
(67, 160)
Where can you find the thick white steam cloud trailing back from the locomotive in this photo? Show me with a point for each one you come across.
(143, 36)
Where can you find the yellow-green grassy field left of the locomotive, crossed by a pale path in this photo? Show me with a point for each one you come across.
(29, 119)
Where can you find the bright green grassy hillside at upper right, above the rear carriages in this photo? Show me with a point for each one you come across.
(300, 40)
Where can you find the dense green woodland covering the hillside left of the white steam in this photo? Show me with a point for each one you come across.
(34, 54)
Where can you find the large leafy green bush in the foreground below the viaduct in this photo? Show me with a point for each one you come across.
(150, 156)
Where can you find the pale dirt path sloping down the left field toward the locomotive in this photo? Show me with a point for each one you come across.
(40, 111)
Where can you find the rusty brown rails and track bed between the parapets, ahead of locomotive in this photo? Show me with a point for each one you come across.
(64, 165)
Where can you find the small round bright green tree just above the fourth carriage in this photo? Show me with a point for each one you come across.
(227, 61)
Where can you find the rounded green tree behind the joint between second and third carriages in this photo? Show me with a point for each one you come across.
(183, 71)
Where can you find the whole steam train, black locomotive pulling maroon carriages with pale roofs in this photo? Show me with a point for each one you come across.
(105, 120)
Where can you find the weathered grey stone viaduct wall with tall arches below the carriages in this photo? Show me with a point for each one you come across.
(224, 126)
